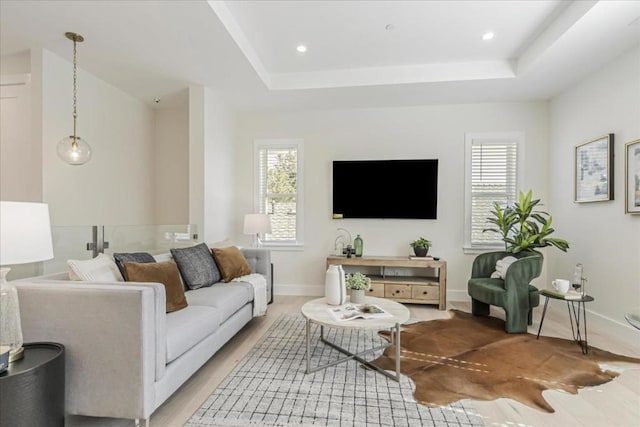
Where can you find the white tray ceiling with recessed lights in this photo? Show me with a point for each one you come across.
(359, 53)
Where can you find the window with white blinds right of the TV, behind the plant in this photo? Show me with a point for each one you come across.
(492, 175)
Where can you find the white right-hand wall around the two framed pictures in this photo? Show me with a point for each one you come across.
(602, 237)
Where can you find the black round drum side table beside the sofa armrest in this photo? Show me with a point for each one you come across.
(32, 389)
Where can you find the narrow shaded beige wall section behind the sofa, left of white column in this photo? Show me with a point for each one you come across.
(171, 166)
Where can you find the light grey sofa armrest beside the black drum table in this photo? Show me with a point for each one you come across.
(110, 334)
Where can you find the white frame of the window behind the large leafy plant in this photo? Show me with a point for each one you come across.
(475, 138)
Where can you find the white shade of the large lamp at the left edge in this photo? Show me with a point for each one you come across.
(25, 233)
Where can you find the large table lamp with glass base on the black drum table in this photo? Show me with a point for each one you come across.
(25, 237)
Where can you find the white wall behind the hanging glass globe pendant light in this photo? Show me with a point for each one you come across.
(117, 186)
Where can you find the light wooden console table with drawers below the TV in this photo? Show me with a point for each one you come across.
(419, 288)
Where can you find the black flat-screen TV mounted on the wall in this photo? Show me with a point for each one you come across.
(404, 189)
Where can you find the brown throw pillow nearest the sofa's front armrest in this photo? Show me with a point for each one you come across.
(162, 272)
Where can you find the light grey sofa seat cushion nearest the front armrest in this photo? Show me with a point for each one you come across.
(188, 327)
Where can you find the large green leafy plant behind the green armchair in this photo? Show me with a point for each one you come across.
(523, 227)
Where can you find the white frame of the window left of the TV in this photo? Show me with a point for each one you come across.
(284, 143)
